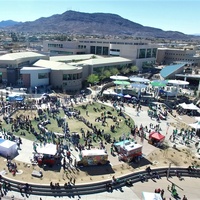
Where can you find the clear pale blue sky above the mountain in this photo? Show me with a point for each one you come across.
(175, 15)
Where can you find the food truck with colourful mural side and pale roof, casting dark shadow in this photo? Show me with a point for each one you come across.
(93, 157)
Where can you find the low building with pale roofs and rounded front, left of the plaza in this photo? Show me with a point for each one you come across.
(30, 70)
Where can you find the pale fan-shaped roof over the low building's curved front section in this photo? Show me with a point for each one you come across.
(54, 65)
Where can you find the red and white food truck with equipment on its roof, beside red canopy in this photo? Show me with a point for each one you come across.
(127, 150)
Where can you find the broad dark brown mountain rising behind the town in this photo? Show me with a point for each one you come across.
(73, 22)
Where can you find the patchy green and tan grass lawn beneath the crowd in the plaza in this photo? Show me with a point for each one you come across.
(74, 124)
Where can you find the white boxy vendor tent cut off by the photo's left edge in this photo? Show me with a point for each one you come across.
(8, 148)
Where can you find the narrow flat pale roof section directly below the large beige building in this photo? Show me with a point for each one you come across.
(73, 57)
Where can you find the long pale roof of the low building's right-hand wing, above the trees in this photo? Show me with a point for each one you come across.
(102, 61)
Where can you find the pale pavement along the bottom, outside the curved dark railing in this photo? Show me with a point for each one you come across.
(188, 187)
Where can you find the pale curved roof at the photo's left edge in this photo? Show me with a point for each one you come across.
(19, 55)
